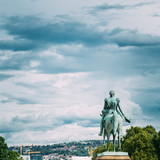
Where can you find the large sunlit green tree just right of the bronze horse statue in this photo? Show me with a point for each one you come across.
(139, 143)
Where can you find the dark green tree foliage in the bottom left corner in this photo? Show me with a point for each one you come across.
(5, 154)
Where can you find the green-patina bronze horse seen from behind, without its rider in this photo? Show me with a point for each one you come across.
(113, 123)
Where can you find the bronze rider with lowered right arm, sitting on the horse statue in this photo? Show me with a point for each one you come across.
(111, 105)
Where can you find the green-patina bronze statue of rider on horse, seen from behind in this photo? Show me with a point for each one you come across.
(112, 121)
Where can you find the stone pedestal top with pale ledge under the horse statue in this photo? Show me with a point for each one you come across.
(113, 156)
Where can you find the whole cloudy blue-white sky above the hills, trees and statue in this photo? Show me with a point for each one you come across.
(59, 60)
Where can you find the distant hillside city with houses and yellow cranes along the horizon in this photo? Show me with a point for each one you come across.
(62, 151)
